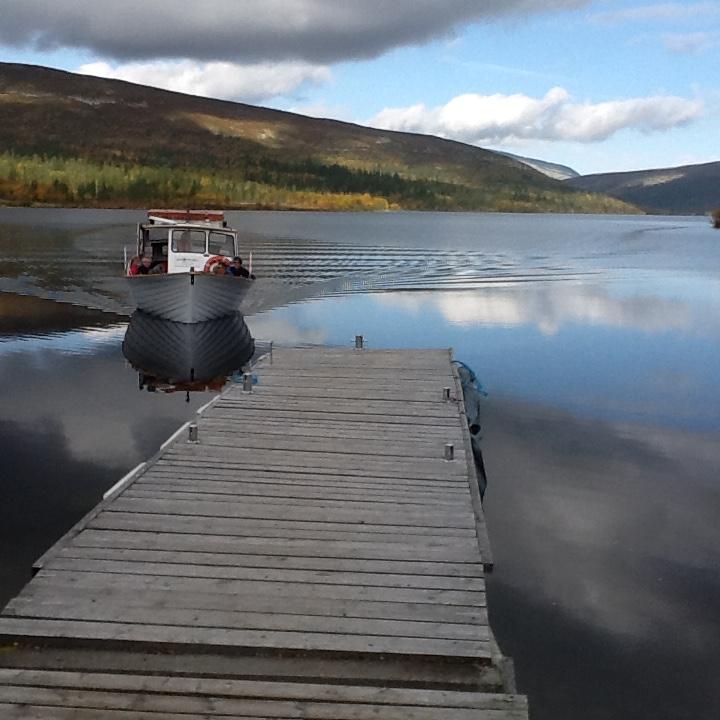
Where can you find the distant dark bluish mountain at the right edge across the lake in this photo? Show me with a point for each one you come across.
(689, 189)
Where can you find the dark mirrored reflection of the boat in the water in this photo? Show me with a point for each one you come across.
(171, 356)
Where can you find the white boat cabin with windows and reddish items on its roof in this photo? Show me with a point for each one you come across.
(178, 241)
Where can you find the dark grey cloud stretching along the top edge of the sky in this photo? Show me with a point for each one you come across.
(316, 31)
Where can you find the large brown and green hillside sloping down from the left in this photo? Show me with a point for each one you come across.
(76, 140)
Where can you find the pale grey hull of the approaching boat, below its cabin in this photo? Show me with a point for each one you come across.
(188, 297)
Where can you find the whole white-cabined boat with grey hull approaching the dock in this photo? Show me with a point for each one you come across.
(179, 270)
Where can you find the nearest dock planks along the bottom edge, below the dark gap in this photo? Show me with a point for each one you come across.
(49, 694)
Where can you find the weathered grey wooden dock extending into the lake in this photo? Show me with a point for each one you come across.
(312, 555)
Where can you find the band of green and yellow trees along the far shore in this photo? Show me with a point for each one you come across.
(56, 180)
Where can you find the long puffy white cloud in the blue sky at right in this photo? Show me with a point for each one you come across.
(494, 119)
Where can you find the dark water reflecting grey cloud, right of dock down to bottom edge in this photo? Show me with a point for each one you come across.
(607, 550)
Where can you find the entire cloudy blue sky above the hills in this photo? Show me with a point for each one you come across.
(597, 85)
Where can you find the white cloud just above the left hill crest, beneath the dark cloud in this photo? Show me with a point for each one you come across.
(229, 81)
